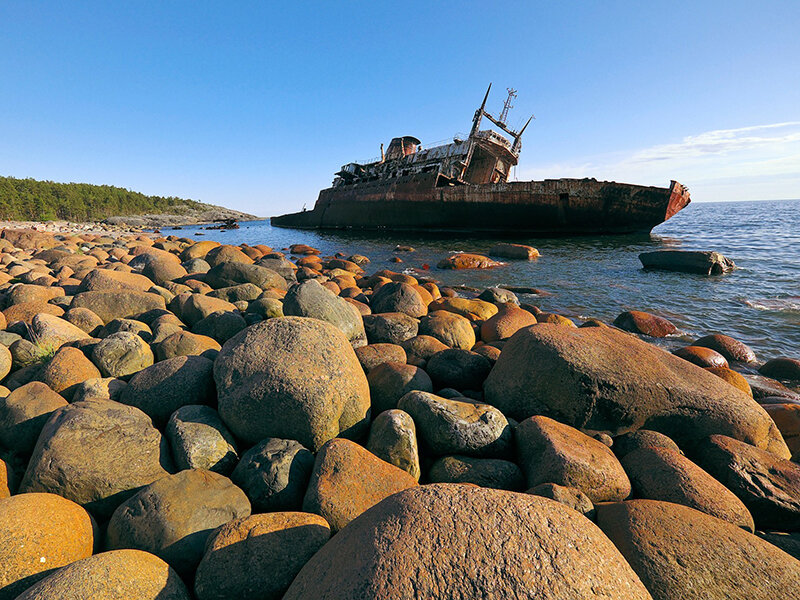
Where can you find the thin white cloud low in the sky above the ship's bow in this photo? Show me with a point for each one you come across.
(706, 162)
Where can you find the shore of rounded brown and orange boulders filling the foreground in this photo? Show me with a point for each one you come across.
(183, 419)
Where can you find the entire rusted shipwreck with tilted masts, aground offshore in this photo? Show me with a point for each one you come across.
(464, 186)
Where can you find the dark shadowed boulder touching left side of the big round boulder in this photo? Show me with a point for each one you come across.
(162, 388)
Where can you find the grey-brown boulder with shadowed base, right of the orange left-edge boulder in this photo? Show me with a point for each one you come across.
(173, 517)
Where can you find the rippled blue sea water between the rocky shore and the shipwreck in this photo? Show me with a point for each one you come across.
(759, 303)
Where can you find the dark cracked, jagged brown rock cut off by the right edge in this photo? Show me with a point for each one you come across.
(767, 485)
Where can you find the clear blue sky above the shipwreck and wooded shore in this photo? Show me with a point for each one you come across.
(254, 105)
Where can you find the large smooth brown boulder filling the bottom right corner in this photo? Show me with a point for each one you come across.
(679, 552)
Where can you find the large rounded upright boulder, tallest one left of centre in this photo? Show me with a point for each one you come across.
(292, 378)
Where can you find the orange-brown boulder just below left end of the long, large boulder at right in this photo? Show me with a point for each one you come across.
(551, 452)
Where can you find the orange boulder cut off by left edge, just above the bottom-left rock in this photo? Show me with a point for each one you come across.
(38, 534)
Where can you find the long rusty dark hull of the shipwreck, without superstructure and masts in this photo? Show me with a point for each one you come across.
(549, 207)
